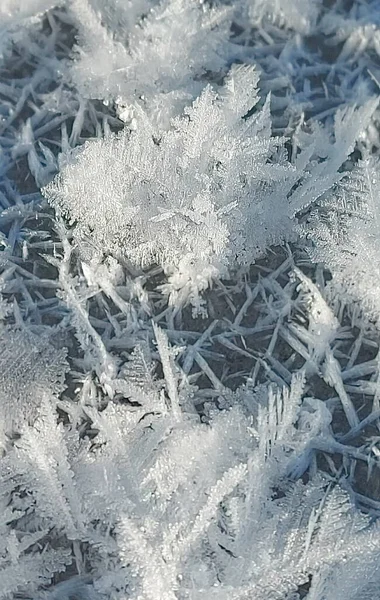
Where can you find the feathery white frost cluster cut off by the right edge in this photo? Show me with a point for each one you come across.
(346, 238)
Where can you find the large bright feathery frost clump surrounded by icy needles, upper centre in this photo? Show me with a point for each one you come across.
(185, 199)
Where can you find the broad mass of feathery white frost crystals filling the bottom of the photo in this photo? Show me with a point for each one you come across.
(181, 523)
